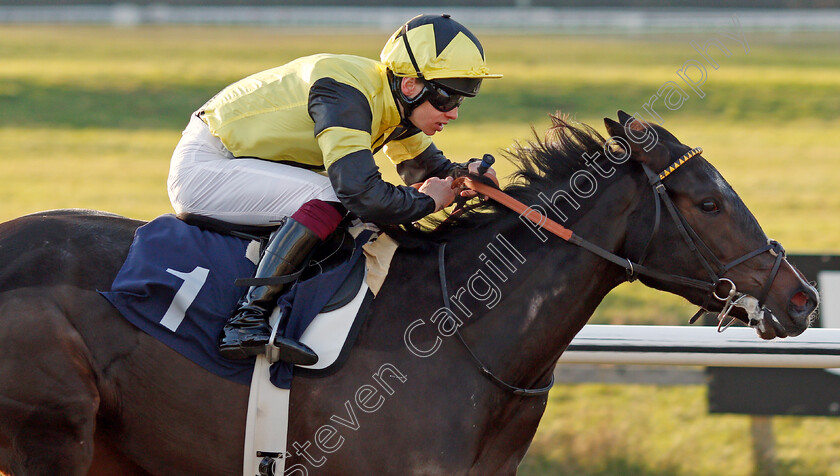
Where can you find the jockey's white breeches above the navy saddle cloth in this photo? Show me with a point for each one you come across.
(205, 178)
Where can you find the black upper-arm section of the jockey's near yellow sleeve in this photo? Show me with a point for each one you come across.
(334, 104)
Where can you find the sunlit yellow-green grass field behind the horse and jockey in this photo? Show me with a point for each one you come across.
(89, 117)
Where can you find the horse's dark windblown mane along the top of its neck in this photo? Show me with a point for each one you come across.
(542, 165)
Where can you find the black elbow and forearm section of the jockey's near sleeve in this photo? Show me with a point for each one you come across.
(359, 186)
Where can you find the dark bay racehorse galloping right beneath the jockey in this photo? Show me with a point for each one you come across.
(82, 391)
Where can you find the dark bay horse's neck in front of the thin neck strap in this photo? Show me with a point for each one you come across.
(555, 288)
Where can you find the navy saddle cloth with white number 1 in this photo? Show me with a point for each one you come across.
(176, 284)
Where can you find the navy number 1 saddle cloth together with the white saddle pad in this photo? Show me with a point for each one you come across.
(177, 285)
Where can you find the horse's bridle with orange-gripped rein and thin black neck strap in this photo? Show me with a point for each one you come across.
(713, 266)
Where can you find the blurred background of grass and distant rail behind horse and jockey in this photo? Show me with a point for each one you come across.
(94, 95)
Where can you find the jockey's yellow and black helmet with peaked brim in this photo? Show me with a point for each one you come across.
(436, 48)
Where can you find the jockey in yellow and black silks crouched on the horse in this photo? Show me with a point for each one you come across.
(295, 144)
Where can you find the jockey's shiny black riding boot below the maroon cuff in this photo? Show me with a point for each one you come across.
(247, 331)
